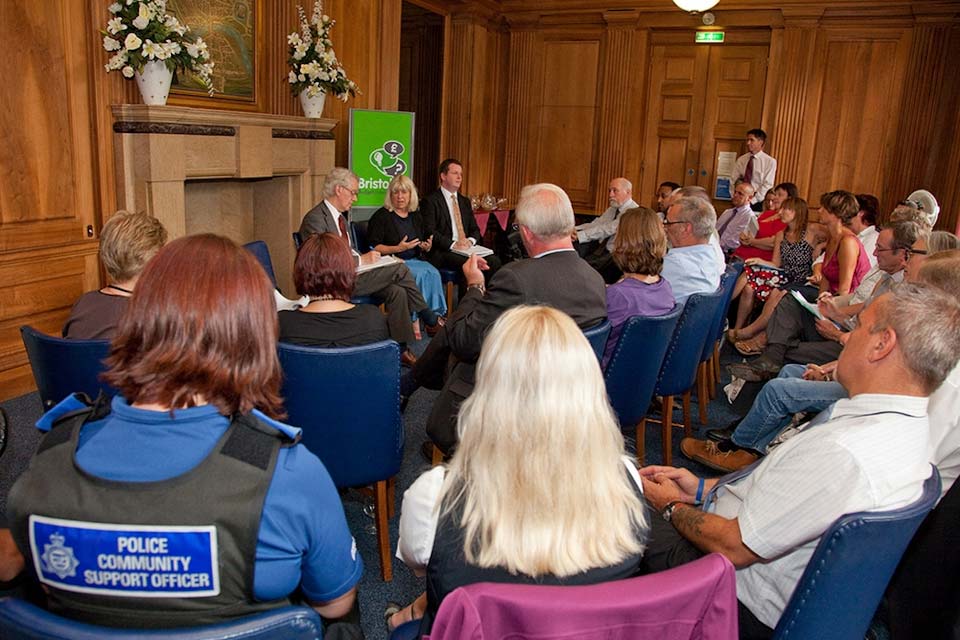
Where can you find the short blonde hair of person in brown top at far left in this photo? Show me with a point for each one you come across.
(127, 242)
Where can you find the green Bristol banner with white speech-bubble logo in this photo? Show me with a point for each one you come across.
(381, 147)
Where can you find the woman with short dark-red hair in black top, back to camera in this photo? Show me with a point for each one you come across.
(324, 270)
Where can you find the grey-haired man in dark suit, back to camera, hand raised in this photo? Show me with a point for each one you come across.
(555, 276)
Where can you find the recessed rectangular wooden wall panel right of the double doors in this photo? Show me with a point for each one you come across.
(856, 122)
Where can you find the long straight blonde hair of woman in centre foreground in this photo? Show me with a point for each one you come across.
(539, 411)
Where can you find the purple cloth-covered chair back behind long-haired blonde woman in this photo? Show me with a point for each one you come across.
(696, 600)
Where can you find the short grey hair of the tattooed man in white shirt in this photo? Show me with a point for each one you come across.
(926, 320)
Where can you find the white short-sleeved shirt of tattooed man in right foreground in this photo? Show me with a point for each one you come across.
(872, 455)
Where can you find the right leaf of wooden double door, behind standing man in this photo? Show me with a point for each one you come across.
(734, 104)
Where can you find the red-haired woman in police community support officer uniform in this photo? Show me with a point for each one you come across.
(184, 501)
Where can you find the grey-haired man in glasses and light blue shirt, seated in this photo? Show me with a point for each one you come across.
(691, 265)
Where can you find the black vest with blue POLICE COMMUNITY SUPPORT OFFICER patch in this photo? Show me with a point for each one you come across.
(171, 553)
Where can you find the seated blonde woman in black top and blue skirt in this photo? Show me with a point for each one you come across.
(397, 229)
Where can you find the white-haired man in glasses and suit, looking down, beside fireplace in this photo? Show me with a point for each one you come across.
(394, 284)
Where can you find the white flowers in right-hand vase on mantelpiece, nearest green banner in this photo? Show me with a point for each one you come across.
(313, 64)
